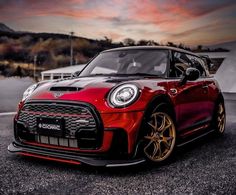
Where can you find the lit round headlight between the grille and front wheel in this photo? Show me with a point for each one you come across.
(123, 95)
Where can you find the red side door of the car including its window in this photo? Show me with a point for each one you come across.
(191, 99)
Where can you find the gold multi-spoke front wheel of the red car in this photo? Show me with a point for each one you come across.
(161, 138)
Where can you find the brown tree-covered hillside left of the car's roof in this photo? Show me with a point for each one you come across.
(50, 50)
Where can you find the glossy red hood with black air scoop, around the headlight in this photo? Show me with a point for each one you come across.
(94, 90)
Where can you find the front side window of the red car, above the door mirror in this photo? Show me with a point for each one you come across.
(180, 63)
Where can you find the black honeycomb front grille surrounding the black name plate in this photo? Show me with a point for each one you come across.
(80, 123)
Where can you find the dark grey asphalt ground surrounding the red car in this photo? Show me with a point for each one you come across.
(207, 166)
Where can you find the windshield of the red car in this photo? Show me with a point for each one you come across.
(128, 62)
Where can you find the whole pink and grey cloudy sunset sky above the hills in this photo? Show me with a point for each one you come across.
(179, 21)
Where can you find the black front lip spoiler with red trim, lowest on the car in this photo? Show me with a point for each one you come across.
(18, 148)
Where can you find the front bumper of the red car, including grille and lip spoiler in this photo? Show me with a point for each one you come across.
(115, 142)
